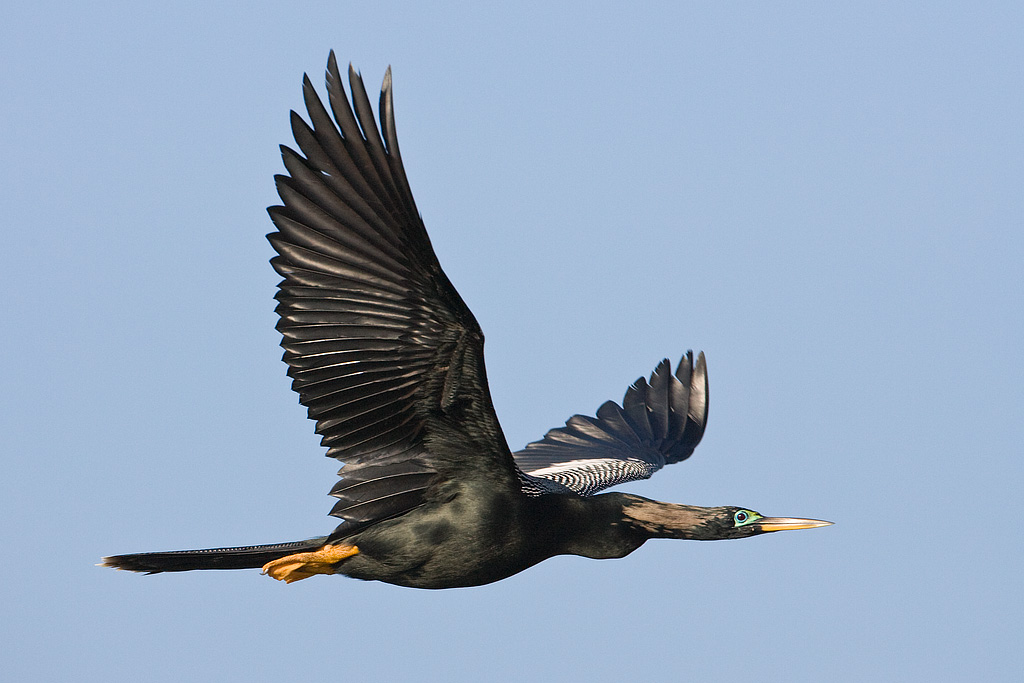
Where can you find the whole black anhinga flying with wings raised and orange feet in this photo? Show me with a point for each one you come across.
(389, 361)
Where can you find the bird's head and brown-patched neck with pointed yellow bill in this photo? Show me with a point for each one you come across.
(688, 522)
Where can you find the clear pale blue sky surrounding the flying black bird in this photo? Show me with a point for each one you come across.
(826, 198)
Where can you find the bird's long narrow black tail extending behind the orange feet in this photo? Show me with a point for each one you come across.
(247, 558)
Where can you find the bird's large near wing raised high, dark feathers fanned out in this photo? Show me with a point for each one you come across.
(383, 352)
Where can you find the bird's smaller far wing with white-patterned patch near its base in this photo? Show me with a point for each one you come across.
(660, 423)
